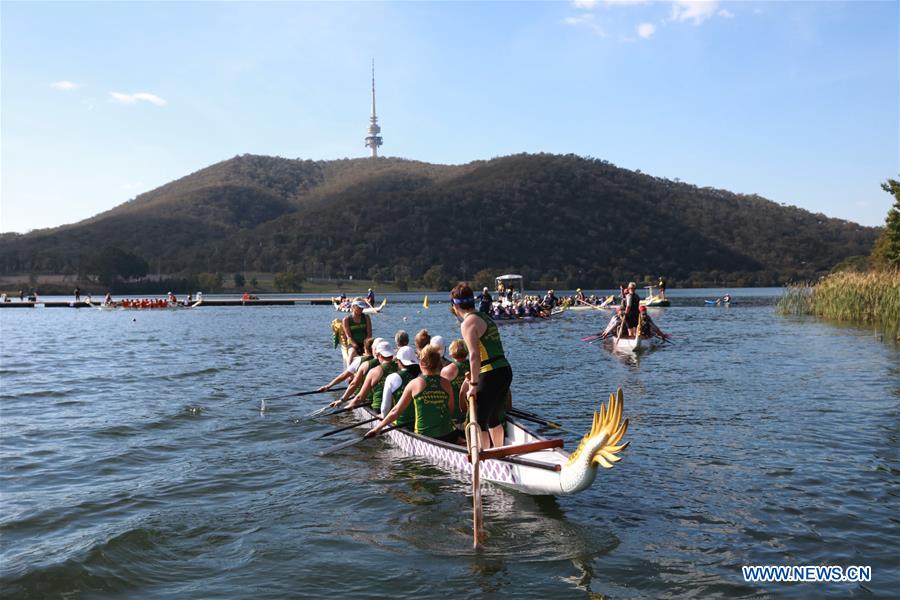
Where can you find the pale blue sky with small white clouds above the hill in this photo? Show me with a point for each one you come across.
(795, 101)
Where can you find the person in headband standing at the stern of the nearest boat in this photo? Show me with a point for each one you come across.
(489, 372)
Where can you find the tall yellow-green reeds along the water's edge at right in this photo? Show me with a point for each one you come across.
(867, 298)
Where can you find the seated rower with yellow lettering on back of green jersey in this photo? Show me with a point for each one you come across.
(431, 397)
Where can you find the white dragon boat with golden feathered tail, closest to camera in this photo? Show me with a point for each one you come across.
(547, 470)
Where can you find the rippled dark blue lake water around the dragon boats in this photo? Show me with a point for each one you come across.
(135, 462)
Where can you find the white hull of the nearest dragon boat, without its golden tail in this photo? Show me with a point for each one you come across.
(536, 473)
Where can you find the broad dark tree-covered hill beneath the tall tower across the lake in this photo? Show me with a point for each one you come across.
(558, 218)
